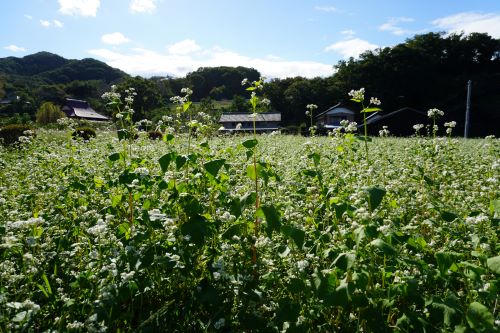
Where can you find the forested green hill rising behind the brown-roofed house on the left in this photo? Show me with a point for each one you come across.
(45, 76)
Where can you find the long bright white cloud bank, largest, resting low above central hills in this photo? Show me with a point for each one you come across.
(146, 62)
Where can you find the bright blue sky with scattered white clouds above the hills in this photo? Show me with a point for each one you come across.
(280, 38)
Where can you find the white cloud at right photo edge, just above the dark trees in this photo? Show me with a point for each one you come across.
(469, 22)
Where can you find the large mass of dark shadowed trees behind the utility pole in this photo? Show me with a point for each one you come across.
(432, 70)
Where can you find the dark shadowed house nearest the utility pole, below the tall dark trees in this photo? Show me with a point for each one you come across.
(399, 122)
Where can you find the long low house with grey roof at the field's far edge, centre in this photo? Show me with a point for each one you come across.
(264, 122)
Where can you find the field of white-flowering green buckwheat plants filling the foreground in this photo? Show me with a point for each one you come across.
(175, 236)
